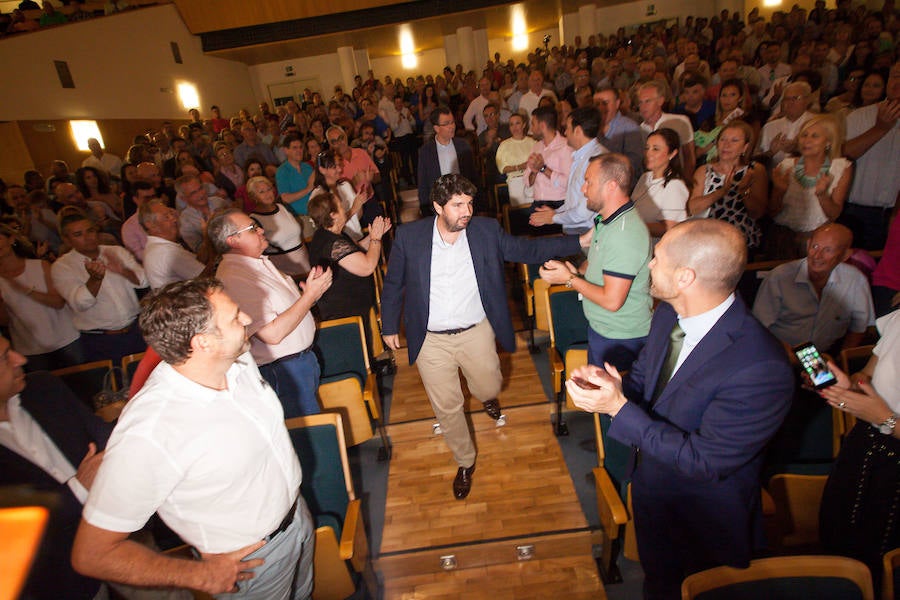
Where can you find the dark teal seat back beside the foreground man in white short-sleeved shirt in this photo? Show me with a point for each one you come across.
(327, 487)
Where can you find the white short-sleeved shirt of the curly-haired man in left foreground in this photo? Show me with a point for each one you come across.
(217, 465)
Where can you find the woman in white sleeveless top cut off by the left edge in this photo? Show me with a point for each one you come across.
(39, 321)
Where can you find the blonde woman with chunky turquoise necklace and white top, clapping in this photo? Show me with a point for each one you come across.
(810, 190)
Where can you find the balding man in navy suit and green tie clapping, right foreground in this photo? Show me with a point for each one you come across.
(697, 436)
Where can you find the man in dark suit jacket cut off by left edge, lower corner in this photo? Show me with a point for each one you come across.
(79, 436)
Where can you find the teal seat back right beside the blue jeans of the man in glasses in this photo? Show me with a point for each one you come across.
(342, 347)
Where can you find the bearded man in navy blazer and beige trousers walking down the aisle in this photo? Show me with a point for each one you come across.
(446, 276)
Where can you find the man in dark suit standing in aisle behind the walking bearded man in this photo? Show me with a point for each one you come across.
(457, 155)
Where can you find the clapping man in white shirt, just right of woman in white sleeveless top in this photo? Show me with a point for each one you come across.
(98, 283)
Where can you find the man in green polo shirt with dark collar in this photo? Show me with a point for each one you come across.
(614, 279)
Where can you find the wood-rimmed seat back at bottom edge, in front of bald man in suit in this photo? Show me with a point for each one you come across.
(783, 577)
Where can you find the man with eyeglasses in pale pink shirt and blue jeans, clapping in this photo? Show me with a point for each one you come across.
(282, 328)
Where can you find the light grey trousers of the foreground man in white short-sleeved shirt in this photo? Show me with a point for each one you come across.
(287, 572)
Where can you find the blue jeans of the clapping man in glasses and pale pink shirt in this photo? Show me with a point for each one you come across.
(295, 380)
